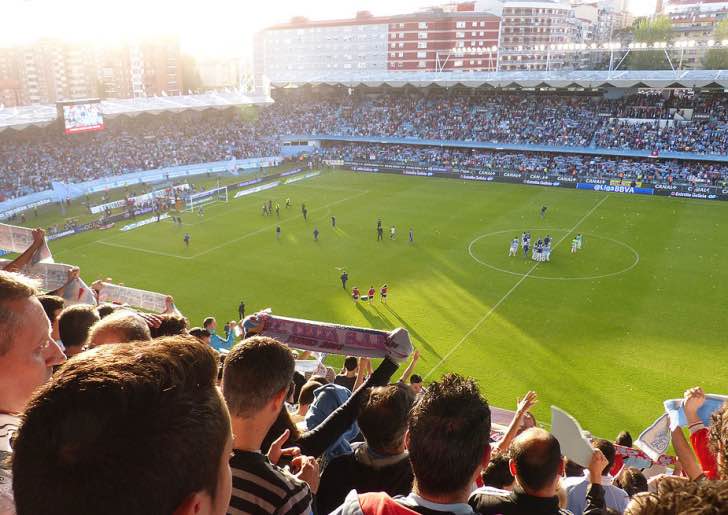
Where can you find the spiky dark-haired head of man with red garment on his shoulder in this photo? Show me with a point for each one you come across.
(447, 437)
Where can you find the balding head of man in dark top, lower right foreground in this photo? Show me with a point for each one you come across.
(536, 462)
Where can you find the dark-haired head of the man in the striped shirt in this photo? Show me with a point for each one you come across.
(256, 378)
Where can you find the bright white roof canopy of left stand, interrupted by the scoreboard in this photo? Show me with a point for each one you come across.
(42, 115)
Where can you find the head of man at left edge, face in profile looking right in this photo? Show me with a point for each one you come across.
(27, 351)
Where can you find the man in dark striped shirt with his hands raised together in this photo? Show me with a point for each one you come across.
(256, 379)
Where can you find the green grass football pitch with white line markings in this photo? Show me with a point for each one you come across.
(607, 334)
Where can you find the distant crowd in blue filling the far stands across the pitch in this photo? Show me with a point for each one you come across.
(653, 121)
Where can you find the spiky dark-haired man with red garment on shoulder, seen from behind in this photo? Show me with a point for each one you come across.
(447, 440)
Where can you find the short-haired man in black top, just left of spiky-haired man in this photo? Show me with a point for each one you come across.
(381, 463)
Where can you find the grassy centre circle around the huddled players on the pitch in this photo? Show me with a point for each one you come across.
(601, 256)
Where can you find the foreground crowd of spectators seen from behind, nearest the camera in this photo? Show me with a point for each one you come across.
(108, 409)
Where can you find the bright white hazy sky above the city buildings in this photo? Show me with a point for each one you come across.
(207, 28)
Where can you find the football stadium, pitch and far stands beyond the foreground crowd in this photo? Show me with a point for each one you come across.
(608, 188)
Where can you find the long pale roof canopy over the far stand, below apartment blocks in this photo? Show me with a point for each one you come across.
(522, 79)
